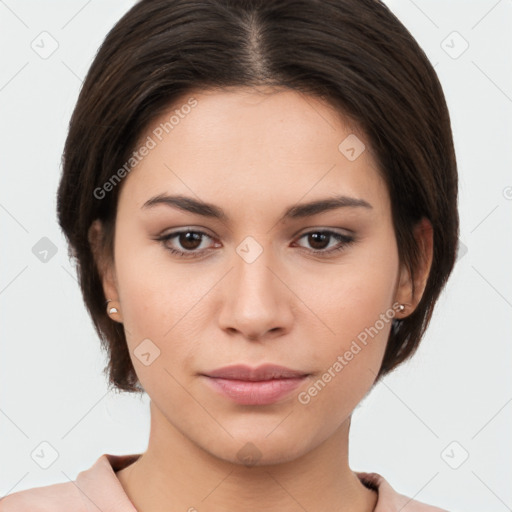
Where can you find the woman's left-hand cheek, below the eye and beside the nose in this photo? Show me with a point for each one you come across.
(161, 302)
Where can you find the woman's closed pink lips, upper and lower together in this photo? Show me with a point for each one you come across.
(263, 385)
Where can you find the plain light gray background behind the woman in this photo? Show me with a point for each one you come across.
(457, 387)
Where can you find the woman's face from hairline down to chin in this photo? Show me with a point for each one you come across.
(266, 282)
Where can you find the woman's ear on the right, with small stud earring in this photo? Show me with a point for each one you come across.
(424, 235)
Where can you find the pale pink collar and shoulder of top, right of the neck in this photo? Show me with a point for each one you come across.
(390, 500)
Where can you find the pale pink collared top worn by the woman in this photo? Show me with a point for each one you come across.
(98, 488)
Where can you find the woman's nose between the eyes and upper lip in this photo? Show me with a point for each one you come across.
(257, 303)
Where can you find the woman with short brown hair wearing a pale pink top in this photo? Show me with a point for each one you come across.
(261, 199)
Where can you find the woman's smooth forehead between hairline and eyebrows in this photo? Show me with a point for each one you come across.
(251, 144)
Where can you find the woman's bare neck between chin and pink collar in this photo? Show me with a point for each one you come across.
(174, 474)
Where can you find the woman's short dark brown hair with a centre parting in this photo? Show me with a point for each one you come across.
(354, 54)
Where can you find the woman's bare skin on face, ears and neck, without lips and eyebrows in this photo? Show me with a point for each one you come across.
(254, 152)
